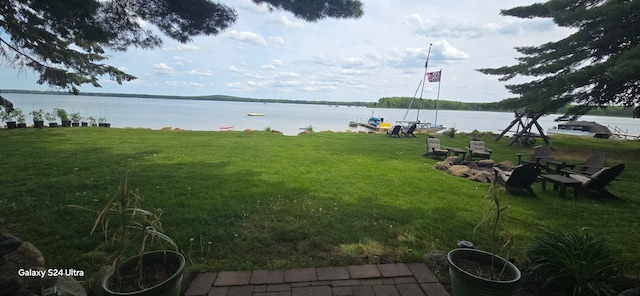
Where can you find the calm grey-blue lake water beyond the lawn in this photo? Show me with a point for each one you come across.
(287, 118)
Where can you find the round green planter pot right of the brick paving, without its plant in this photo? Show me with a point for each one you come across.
(464, 283)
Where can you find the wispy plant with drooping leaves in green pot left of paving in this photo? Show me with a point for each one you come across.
(129, 228)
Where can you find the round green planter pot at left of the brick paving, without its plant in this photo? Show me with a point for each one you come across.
(169, 287)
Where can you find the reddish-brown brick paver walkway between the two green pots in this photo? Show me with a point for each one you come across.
(397, 279)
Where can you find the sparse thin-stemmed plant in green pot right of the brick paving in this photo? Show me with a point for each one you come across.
(476, 272)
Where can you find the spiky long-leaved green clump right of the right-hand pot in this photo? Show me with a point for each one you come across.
(575, 262)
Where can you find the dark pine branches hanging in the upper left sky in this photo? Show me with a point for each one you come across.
(64, 41)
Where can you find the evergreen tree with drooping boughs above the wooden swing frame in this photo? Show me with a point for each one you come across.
(595, 67)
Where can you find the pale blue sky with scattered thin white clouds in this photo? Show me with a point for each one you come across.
(273, 55)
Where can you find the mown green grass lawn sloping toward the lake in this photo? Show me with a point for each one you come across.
(266, 201)
